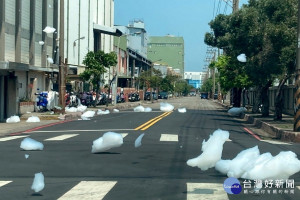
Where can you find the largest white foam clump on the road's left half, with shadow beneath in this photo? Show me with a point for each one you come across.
(107, 141)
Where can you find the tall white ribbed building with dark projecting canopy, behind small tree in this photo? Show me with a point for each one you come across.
(89, 26)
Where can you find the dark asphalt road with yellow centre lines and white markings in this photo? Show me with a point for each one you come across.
(156, 170)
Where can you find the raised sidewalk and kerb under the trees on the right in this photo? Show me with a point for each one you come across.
(280, 130)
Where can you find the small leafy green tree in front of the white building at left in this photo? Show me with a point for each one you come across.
(96, 65)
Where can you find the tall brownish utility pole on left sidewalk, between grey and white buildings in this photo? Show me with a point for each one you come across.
(62, 66)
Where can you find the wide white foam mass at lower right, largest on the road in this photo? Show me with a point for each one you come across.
(249, 164)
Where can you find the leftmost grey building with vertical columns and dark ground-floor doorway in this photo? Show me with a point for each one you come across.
(26, 51)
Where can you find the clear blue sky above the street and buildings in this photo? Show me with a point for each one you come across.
(186, 18)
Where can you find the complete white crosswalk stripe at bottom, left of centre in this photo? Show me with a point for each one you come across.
(89, 190)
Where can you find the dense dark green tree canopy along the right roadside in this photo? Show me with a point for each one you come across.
(265, 30)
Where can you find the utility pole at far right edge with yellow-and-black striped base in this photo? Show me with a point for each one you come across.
(297, 81)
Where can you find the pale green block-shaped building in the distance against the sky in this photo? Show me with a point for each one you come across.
(168, 49)
